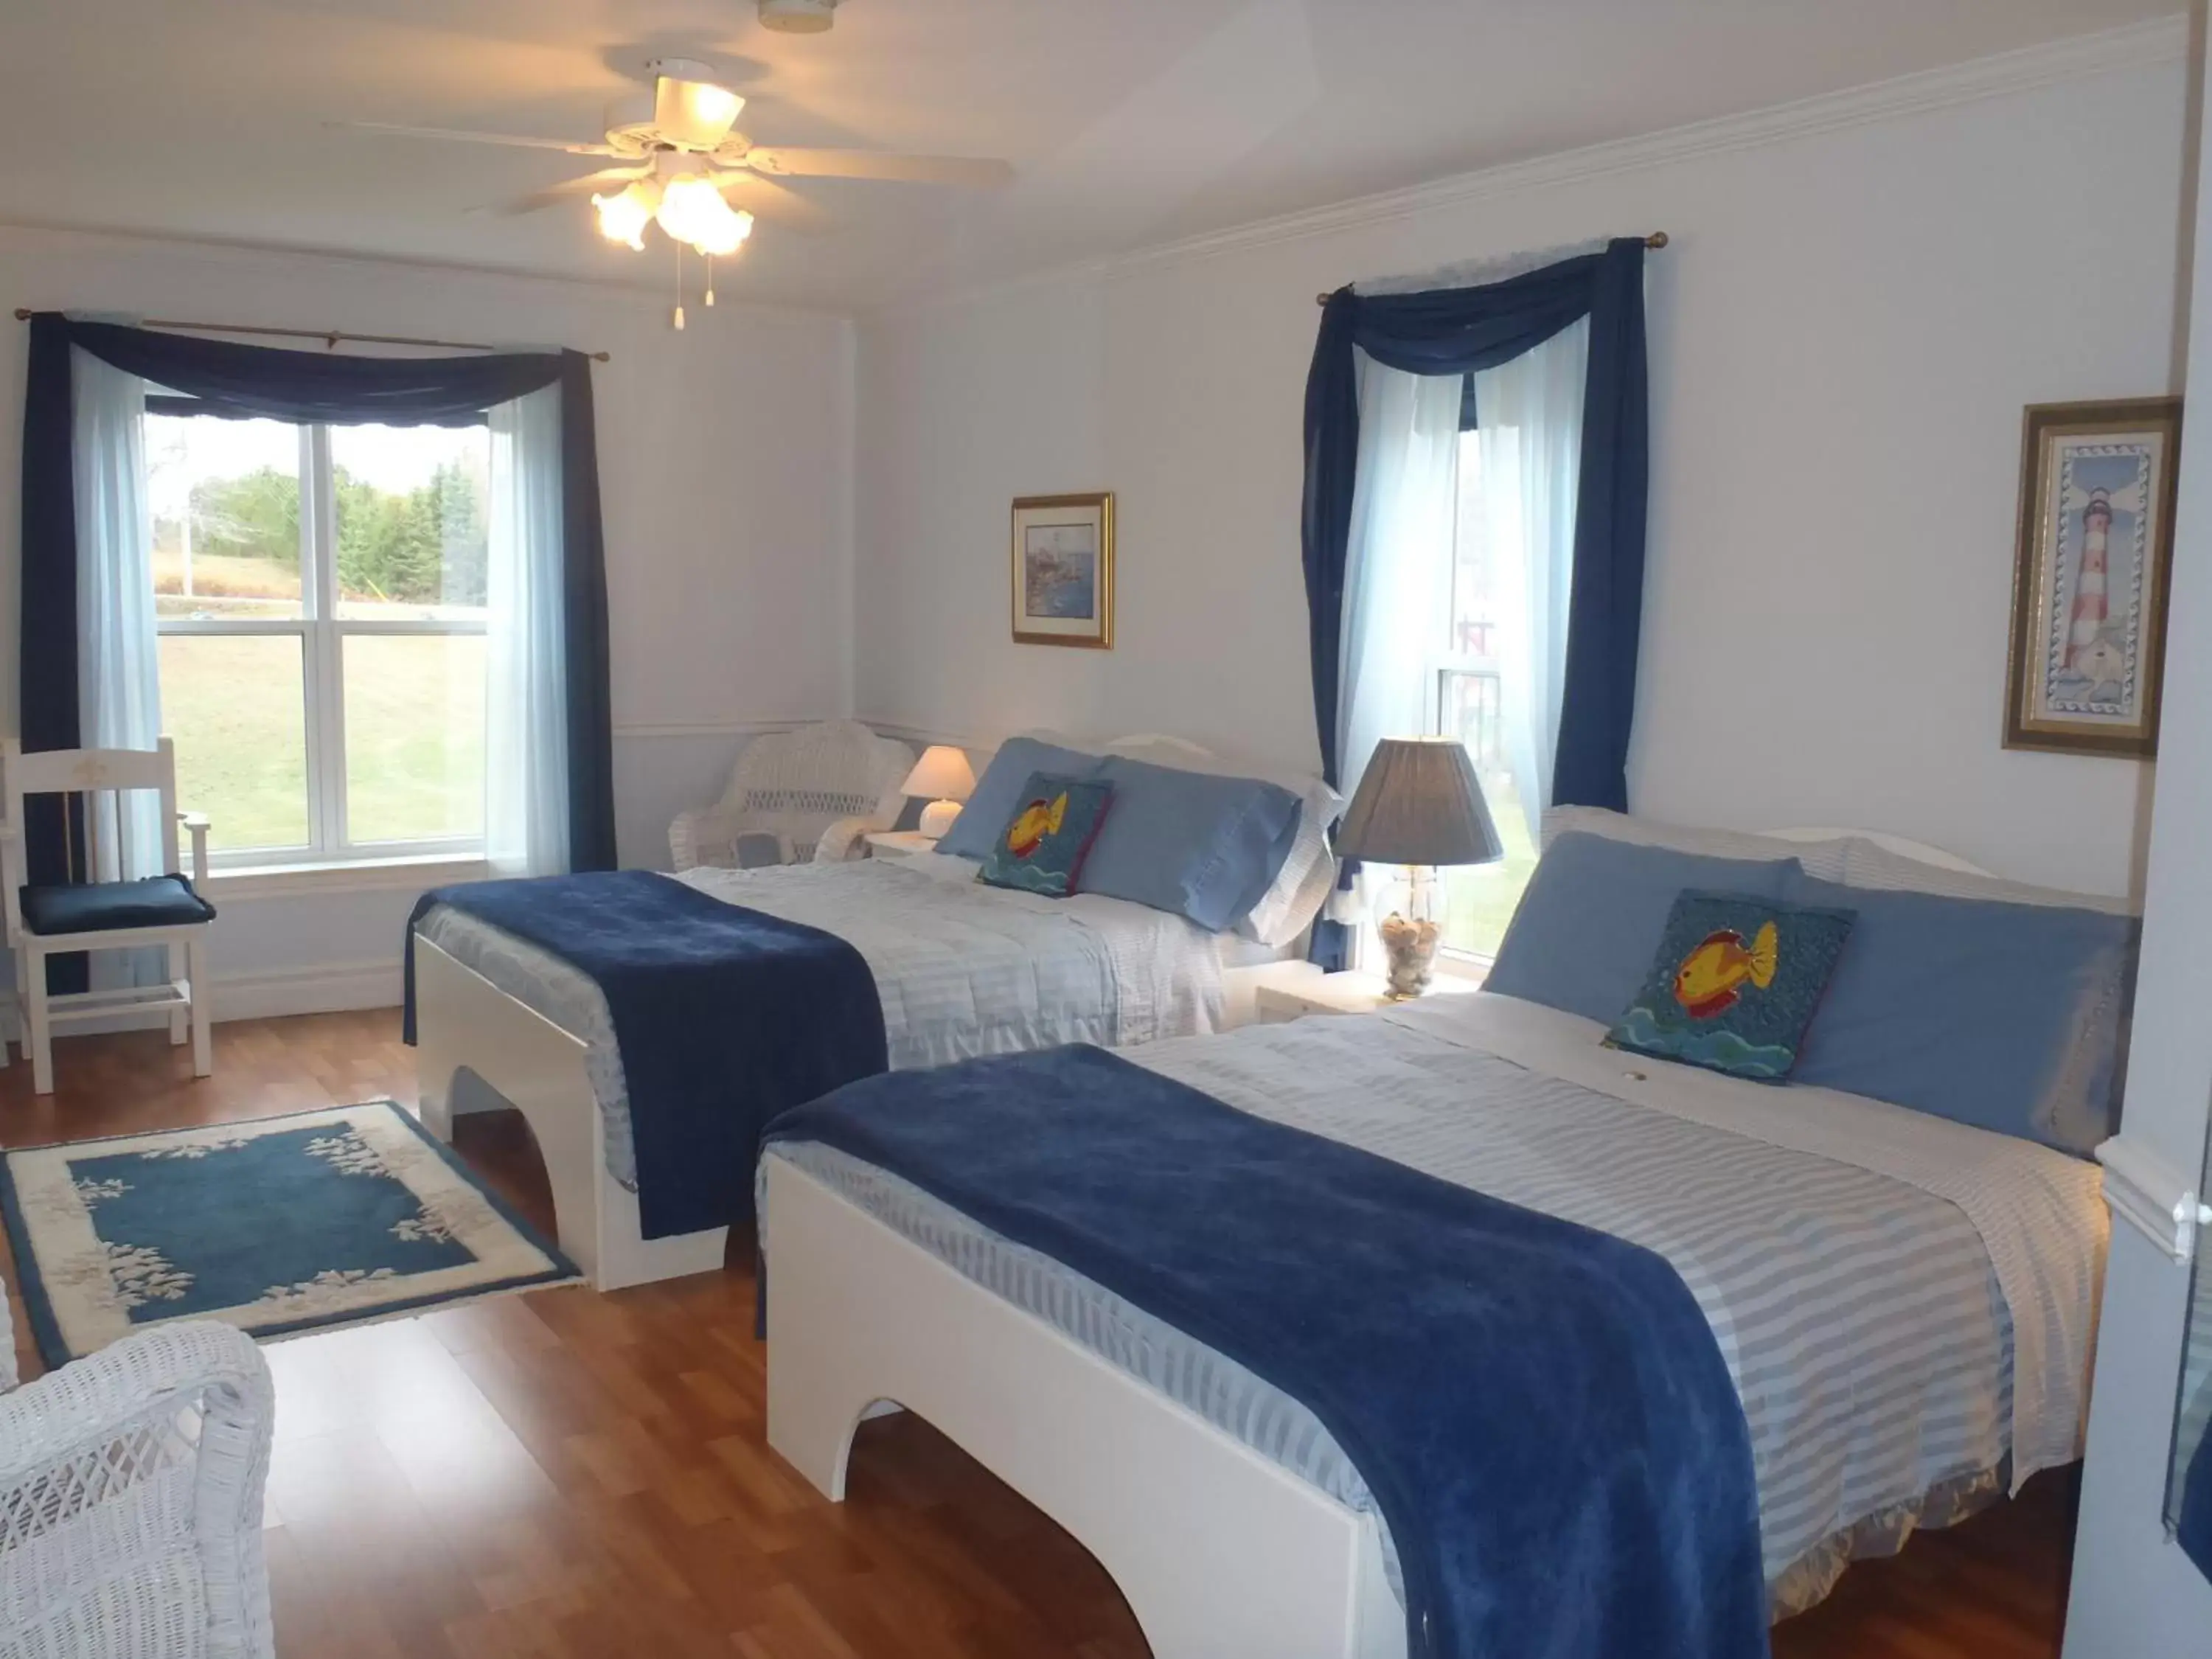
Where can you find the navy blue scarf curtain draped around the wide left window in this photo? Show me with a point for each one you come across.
(249, 382)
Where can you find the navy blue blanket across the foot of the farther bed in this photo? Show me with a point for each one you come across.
(724, 1016)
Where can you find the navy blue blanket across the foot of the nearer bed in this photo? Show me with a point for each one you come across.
(1541, 1410)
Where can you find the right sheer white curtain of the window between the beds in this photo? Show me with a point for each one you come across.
(1530, 415)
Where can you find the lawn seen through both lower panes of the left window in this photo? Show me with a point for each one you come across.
(415, 744)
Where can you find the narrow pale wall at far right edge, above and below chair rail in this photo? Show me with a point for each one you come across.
(2133, 1589)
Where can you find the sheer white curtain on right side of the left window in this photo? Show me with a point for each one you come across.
(525, 660)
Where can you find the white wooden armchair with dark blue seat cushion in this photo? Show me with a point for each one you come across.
(90, 915)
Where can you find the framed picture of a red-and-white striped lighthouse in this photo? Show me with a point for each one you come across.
(2089, 592)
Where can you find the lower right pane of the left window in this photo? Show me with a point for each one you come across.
(415, 738)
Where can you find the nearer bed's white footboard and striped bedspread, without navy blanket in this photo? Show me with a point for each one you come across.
(1906, 1306)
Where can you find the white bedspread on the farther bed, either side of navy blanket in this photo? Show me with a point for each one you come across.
(963, 970)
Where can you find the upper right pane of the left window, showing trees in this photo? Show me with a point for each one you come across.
(410, 508)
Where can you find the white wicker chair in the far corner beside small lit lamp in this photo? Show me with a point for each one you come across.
(797, 795)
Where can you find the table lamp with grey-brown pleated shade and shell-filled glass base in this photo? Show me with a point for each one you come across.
(1421, 806)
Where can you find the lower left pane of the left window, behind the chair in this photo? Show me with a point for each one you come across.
(236, 705)
